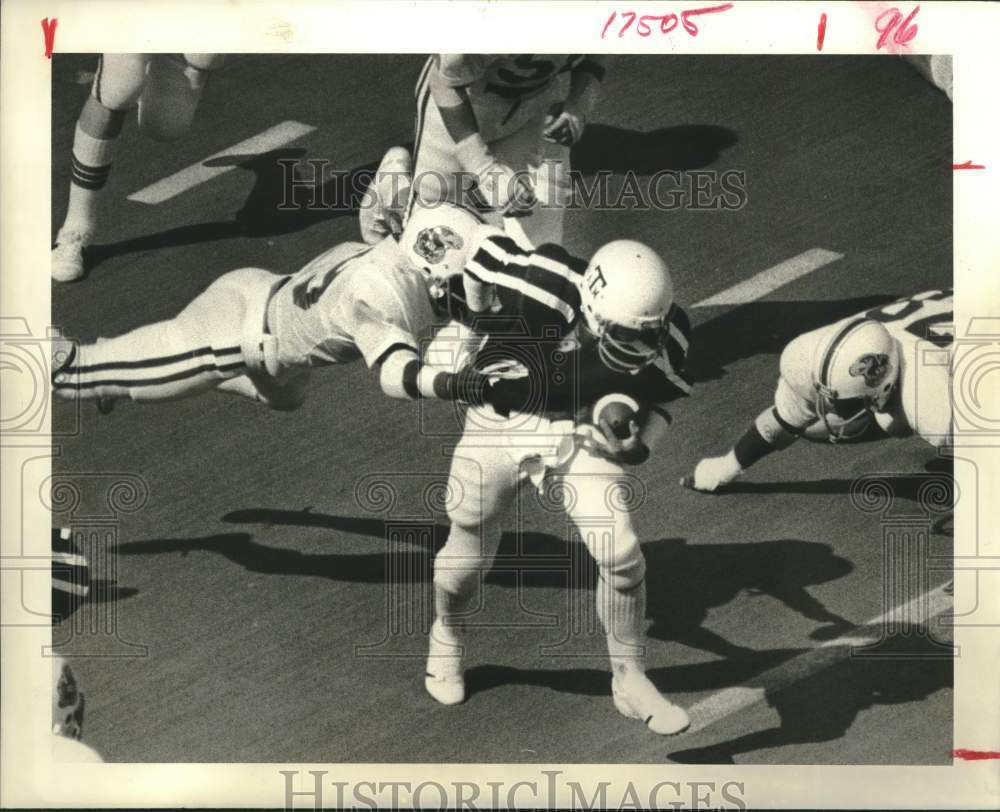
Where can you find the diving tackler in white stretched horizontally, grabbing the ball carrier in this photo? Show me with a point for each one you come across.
(258, 334)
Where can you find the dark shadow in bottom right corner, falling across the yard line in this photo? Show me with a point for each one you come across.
(823, 706)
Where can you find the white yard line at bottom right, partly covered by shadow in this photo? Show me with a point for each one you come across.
(724, 703)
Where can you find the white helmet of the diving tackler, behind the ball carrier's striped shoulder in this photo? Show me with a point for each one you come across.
(438, 238)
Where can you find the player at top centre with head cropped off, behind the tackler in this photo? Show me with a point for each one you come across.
(504, 123)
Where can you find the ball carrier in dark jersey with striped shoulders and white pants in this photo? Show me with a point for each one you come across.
(582, 334)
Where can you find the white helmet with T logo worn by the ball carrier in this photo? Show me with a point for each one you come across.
(626, 297)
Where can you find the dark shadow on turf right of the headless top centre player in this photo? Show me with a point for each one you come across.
(618, 150)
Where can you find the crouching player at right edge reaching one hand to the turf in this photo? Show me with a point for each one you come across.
(836, 381)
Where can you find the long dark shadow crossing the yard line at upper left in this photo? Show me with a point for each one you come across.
(289, 194)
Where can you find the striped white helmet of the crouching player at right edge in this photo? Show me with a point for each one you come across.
(854, 373)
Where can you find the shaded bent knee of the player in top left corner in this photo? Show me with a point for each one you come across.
(170, 97)
